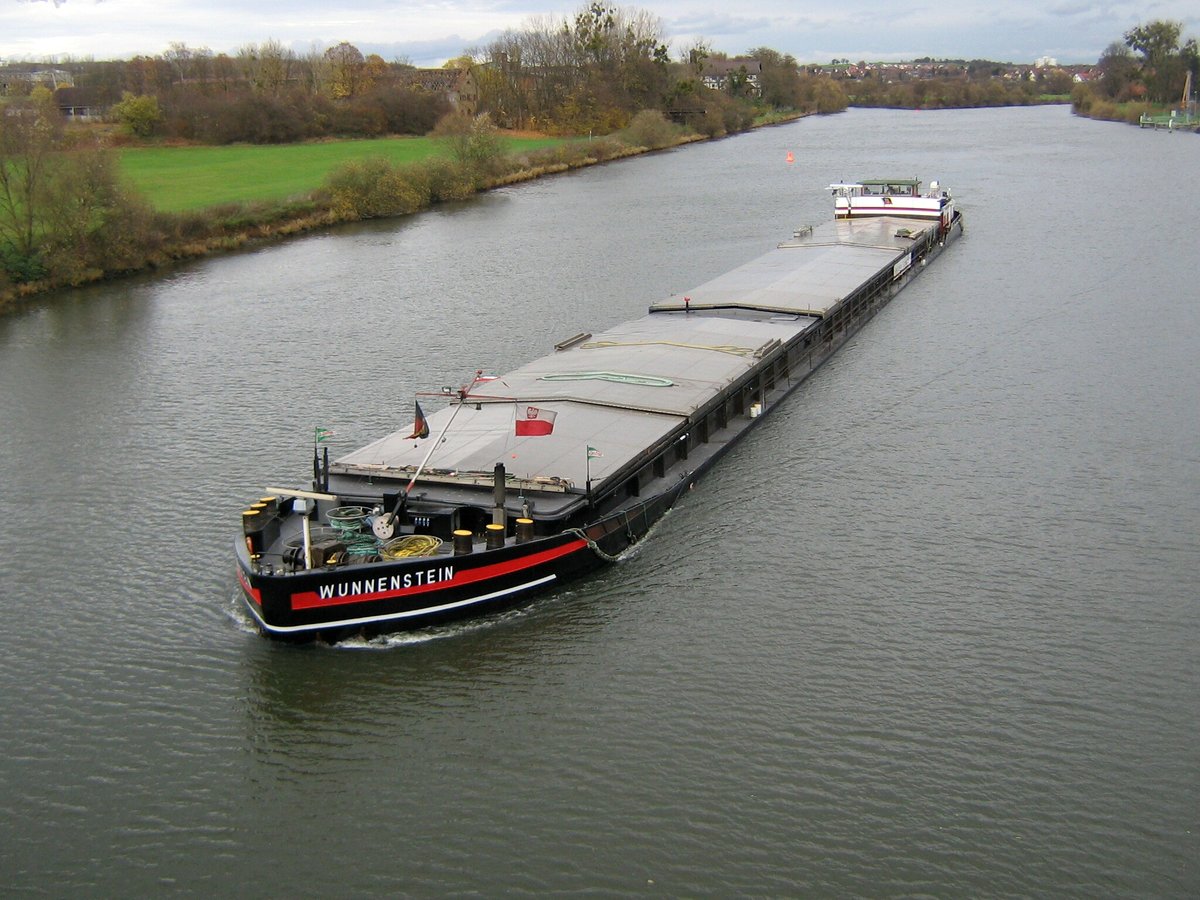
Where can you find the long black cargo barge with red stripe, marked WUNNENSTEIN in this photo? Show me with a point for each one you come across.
(524, 482)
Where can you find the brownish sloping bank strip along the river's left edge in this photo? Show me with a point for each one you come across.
(191, 236)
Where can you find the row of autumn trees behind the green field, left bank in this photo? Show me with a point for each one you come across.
(589, 74)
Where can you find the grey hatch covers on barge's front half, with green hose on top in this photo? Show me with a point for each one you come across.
(688, 361)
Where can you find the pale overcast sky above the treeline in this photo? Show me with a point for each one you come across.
(428, 32)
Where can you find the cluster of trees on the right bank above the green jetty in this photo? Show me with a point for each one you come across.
(1144, 73)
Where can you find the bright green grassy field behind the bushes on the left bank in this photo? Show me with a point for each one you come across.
(191, 178)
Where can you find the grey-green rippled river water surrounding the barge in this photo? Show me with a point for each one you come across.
(932, 631)
